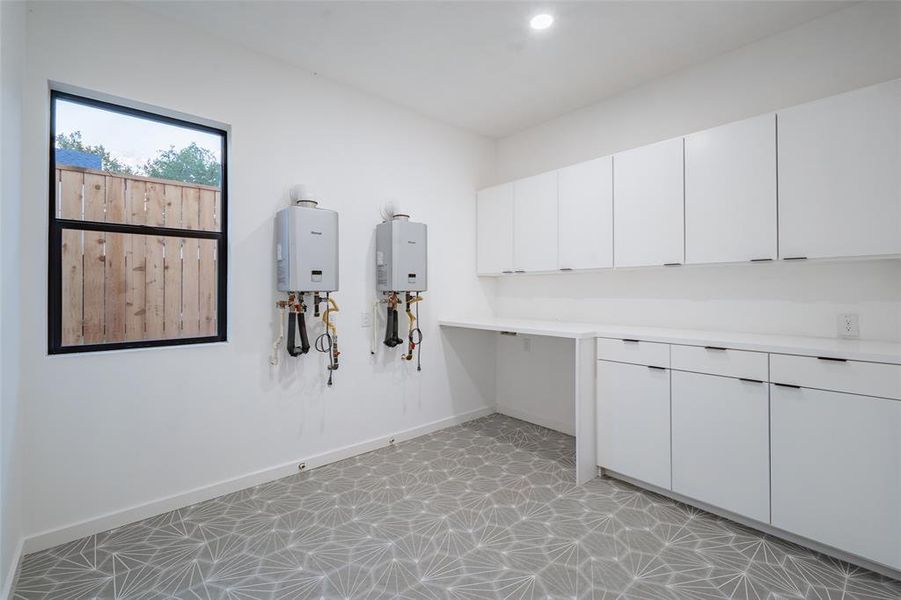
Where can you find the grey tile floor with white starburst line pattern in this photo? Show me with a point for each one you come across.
(487, 509)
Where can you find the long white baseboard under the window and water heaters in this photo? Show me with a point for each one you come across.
(68, 533)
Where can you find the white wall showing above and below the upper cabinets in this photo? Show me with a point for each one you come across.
(846, 49)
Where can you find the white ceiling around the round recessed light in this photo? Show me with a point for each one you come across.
(478, 65)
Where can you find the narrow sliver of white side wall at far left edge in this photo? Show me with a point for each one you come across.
(12, 62)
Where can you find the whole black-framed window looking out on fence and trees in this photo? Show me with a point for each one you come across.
(138, 208)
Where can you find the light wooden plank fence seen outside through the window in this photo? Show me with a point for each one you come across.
(122, 287)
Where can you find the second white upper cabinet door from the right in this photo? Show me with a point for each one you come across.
(730, 192)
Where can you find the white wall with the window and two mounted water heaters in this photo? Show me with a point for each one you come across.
(110, 431)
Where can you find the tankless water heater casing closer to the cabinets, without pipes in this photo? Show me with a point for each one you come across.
(401, 255)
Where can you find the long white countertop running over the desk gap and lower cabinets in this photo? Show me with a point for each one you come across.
(885, 352)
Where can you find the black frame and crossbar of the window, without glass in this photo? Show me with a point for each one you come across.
(57, 225)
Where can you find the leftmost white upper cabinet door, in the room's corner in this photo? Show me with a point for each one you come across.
(495, 229)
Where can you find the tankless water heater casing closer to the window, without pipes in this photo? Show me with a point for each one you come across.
(307, 248)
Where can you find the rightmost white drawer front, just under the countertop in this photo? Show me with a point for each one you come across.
(853, 377)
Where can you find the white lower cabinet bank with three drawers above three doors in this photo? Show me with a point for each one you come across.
(706, 423)
